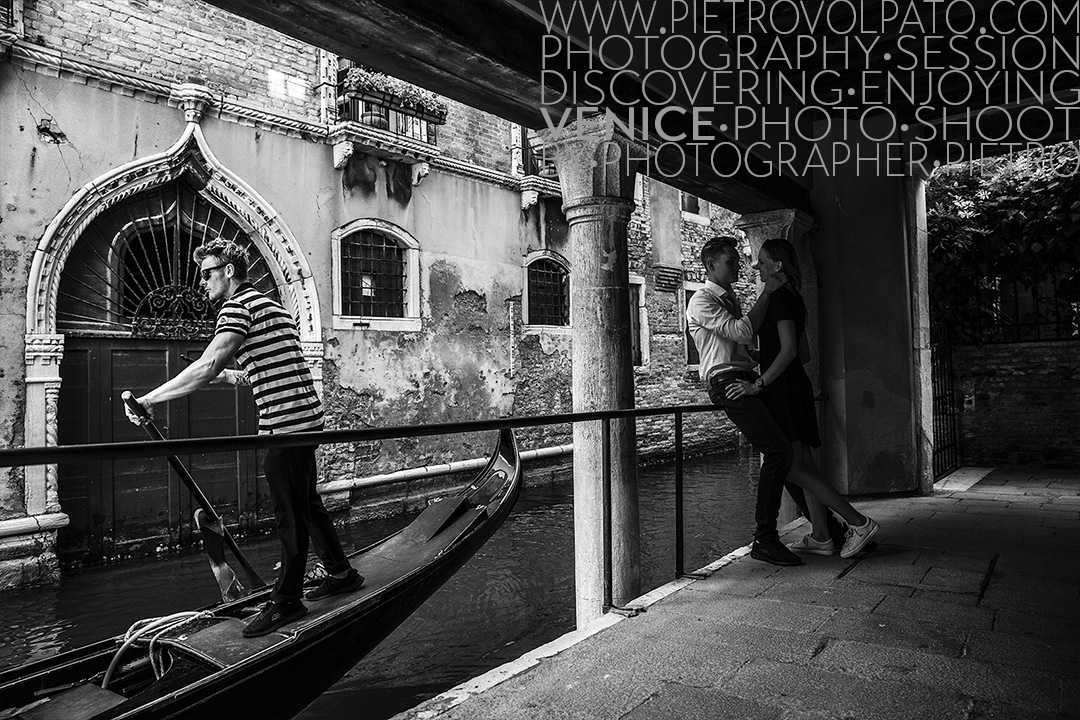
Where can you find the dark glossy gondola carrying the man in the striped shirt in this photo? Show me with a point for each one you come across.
(205, 669)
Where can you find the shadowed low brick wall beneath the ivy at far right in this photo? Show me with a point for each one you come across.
(1020, 404)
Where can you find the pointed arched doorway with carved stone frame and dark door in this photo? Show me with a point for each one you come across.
(106, 304)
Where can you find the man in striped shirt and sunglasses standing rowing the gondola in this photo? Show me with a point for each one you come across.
(263, 337)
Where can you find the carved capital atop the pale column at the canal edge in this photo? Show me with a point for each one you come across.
(595, 160)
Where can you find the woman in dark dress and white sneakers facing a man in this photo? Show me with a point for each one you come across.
(789, 393)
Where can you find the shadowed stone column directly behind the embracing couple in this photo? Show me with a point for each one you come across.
(790, 225)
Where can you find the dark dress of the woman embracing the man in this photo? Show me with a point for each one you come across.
(790, 398)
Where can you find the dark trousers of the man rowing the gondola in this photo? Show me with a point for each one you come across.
(301, 518)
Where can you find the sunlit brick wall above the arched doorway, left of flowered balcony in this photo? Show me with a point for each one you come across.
(175, 40)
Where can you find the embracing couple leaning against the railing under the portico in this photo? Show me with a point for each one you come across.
(775, 410)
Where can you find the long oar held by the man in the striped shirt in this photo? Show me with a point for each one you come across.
(214, 533)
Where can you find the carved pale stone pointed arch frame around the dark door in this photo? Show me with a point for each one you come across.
(191, 154)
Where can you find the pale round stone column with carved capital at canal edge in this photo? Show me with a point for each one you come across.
(598, 185)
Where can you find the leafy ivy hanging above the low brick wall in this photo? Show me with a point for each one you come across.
(1003, 227)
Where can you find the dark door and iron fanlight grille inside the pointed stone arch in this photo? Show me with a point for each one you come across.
(131, 310)
